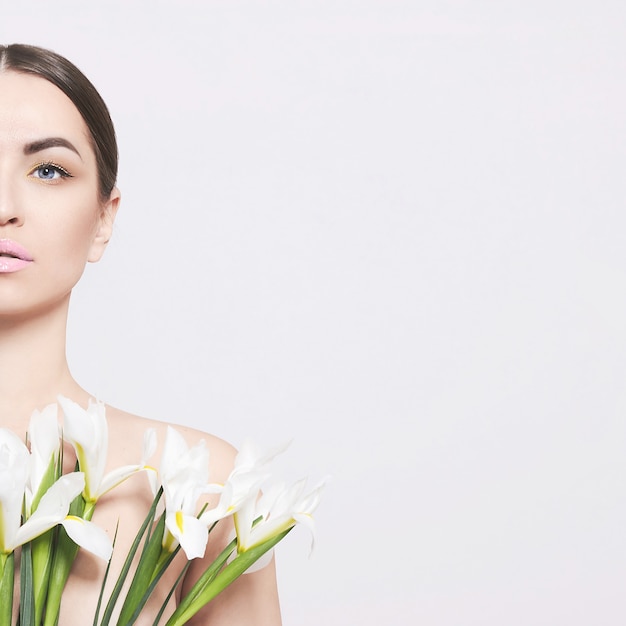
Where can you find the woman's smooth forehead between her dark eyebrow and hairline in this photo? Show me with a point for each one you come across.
(32, 108)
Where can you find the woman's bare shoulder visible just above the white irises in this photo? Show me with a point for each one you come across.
(126, 433)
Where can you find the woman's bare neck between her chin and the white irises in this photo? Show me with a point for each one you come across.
(33, 366)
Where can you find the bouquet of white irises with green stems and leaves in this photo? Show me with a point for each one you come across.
(48, 515)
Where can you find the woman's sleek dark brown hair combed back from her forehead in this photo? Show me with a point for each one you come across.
(76, 86)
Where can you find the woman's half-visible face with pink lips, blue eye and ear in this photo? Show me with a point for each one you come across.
(52, 220)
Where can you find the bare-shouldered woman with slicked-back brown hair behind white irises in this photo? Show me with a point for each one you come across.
(58, 200)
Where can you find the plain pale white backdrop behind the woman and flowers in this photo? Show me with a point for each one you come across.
(394, 232)
